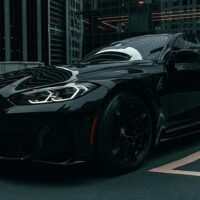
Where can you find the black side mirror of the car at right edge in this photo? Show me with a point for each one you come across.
(185, 55)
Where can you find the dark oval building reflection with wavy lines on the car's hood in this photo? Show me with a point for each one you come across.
(36, 77)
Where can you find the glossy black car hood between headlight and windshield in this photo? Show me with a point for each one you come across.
(38, 77)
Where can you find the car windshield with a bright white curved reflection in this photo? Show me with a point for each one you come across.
(138, 48)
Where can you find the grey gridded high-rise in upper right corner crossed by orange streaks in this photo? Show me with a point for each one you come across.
(178, 16)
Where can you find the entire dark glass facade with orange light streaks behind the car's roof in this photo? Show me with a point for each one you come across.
(106, 21)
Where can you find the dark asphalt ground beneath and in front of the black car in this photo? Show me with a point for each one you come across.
(82, 181)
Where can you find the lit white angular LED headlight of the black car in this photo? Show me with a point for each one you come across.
(53, 94)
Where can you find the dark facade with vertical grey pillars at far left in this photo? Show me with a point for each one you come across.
(23, 30)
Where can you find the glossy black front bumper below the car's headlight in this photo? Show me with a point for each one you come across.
(55, 132)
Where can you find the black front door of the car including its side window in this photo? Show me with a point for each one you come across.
(180, 94)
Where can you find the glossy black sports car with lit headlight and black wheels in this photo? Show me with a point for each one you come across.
(113, 105)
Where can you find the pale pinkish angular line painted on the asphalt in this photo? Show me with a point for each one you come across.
(170, 168)
